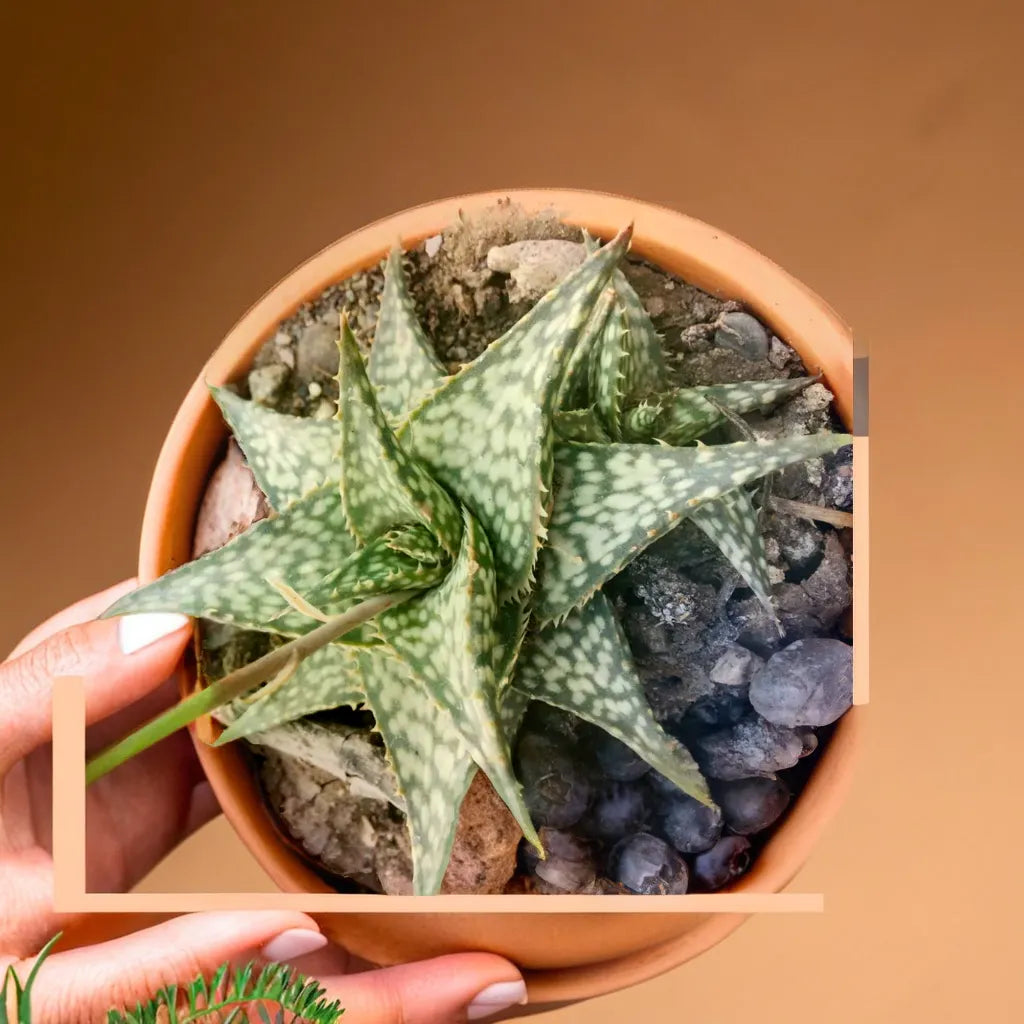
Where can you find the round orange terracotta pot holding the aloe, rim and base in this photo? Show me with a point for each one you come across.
(566, 957)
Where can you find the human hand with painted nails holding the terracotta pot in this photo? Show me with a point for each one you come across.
(137, 816)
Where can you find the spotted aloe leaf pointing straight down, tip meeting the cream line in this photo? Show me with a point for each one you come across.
(431, 759)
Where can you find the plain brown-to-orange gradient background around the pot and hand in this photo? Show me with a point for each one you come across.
(166, 166)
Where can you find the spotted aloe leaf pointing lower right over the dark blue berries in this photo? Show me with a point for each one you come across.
(584, 666)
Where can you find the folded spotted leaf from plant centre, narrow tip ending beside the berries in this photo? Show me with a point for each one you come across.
(446, 638)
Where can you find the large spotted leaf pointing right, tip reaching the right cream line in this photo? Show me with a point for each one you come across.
(612, 501)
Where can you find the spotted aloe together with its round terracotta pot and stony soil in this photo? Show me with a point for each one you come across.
(481, 534)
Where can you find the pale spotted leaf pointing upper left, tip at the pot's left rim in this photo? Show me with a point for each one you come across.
(290, 456)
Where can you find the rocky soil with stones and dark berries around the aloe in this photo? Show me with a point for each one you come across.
(699, 636)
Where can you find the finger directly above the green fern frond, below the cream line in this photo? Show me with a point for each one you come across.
(80, 987)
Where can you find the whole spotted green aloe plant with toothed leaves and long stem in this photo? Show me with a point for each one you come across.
(437, 553)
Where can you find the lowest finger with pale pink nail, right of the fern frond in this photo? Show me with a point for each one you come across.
(444, 991)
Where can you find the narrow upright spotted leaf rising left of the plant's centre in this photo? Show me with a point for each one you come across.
(381, 485)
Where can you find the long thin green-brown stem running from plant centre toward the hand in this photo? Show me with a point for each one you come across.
(225, 691)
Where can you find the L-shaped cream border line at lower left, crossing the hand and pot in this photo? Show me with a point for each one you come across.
(70, 895)
